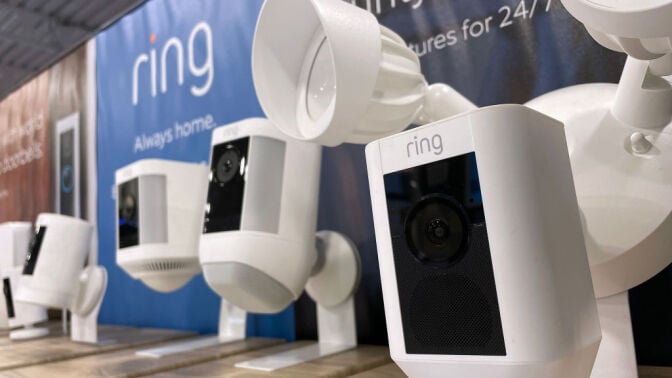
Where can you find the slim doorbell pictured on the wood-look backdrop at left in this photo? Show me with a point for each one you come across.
(68, 166)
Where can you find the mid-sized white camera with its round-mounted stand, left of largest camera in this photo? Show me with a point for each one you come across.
(259, 249)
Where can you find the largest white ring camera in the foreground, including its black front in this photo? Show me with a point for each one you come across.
(482, 258)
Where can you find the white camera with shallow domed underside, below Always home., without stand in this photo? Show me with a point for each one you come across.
(159, 215)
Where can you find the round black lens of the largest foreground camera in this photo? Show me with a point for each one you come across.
(437, 230)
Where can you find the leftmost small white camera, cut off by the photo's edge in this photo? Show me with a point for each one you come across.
(14, 239)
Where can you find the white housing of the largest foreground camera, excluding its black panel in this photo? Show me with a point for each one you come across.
(546, 300)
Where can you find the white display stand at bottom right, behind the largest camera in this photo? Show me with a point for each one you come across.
(616, 356)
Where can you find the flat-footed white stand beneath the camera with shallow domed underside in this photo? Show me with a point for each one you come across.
(232, 321)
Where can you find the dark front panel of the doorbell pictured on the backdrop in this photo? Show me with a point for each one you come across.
(67, 173)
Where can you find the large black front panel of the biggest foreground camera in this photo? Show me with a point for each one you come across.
(443, 265)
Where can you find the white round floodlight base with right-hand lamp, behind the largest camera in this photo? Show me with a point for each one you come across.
(620, 143)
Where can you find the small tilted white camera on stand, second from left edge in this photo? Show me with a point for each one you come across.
(54, 274)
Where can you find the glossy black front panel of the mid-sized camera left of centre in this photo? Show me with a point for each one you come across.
(226, 186)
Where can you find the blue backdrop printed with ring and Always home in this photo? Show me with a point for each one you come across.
(147, 108)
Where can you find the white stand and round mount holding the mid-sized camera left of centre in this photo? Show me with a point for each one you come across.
(332, 287)
